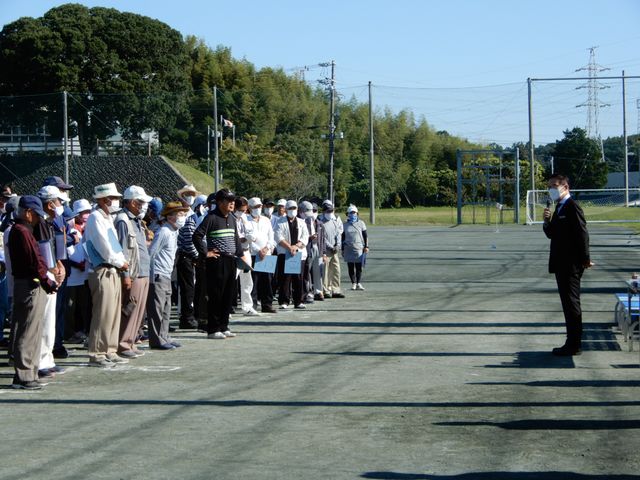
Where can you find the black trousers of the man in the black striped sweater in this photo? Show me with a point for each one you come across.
(221, 277)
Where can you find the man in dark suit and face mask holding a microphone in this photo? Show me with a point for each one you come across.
(568, 258)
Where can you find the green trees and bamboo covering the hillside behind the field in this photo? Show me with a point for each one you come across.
(127, 73)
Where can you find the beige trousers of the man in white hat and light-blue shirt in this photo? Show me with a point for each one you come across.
(105, 287)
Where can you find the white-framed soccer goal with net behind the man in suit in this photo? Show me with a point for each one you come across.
(599, 205)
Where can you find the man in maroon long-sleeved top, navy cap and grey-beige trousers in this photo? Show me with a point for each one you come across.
(32, 283)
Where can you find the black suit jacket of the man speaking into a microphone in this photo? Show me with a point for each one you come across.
(569, 250)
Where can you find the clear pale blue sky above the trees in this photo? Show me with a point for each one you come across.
(462, 65)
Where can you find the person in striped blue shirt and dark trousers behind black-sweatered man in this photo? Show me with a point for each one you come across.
(189, 279)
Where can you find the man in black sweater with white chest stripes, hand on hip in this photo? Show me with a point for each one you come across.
(223, 244)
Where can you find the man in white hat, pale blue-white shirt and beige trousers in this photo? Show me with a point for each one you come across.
(107, 260)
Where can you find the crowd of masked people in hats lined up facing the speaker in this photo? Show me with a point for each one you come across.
(95, 272)
